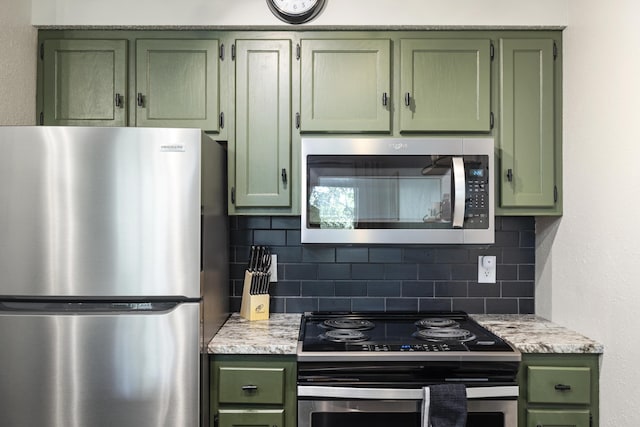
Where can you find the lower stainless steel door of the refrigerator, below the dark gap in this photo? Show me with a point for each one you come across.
(136, 367)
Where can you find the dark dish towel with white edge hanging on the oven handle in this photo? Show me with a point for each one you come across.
(444, 405)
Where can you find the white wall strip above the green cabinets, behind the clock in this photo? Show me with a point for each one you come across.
(337, 12)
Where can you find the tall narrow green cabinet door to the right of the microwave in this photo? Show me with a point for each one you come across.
(526, 141)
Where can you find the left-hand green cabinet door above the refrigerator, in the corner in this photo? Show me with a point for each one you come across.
(84, 82)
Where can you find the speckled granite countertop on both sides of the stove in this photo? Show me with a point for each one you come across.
(278, 335)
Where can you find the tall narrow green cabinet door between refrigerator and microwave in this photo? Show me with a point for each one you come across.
(262, 148)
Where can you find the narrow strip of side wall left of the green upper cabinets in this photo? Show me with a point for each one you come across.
(18, 41)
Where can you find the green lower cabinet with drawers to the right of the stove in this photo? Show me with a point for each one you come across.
(559, 390)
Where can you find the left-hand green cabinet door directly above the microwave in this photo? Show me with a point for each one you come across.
(345, 85)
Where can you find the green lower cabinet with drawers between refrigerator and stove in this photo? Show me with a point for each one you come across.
(253, 390)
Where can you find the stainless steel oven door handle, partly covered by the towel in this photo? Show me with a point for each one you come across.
(400, 393)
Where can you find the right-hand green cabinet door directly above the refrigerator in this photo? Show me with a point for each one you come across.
(177, 83)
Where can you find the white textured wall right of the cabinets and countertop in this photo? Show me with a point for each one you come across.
(592, 255)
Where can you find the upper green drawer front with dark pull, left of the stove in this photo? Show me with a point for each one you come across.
(251, 385)
